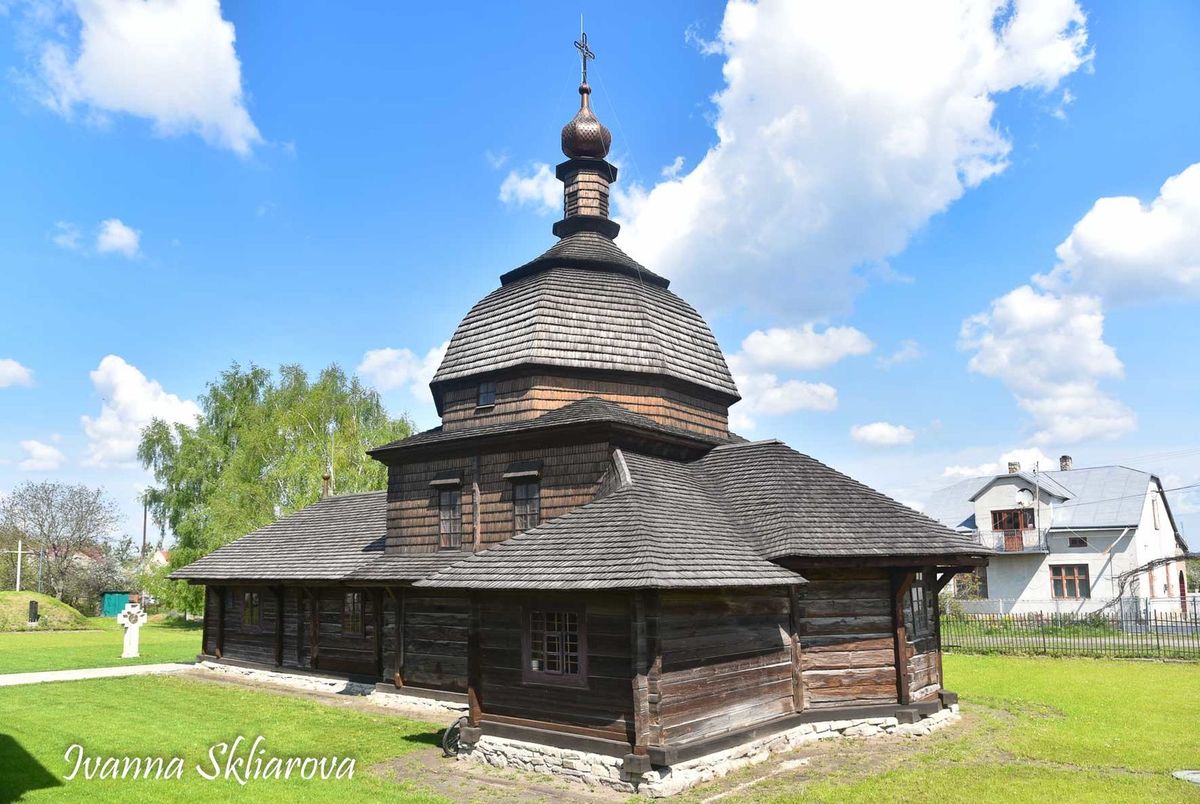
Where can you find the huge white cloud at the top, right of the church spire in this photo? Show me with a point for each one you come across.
(837, 141)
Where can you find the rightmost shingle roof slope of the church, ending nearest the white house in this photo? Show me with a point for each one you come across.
(796, 506)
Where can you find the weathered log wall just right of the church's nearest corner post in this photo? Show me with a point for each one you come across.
(727, 662)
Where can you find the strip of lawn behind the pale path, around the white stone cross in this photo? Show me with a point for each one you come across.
(33, 652)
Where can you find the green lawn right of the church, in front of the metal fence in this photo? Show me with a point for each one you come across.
(1037, 730)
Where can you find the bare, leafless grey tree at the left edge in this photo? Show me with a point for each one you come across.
(69, 524)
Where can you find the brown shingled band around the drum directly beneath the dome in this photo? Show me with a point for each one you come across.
(520, 399)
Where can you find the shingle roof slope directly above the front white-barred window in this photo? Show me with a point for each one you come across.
(664, 529)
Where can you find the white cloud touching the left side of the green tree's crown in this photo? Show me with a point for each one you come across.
(130, 401)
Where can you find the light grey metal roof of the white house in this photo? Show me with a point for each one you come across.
(1099, 497)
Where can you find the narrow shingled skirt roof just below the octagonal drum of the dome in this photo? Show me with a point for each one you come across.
(591, 410)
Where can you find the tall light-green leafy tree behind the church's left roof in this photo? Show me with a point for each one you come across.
(259, 453)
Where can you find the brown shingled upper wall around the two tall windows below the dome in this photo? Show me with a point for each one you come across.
(571, 477)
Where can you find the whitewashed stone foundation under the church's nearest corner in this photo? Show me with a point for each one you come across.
(595, 770)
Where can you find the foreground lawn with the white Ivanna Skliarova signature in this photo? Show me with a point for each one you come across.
(178, 717)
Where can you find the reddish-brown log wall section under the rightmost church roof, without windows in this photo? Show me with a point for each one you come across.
(848, 647)
